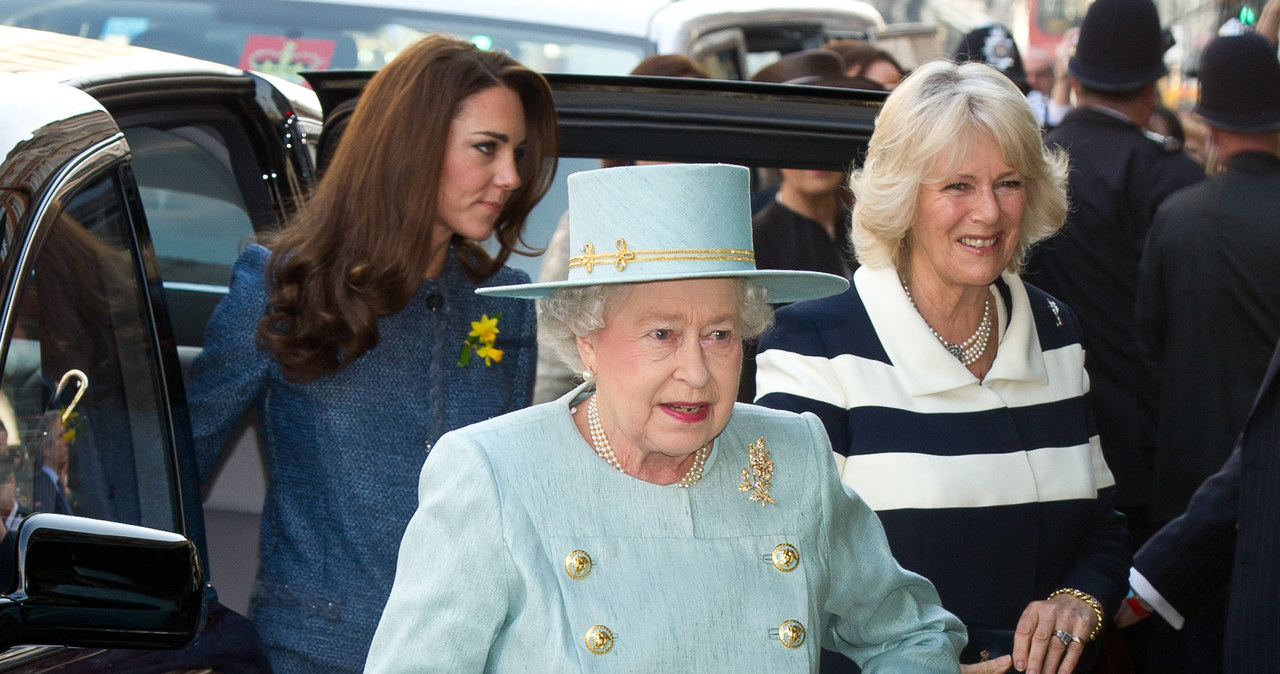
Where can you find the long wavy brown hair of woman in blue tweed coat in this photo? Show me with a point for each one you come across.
(359, 249)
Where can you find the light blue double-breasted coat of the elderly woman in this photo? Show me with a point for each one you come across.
(684, 580)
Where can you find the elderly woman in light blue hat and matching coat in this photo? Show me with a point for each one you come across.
(644, 522)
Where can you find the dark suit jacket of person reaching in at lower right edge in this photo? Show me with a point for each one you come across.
(1231, 537)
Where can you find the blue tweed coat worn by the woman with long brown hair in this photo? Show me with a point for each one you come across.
(344, 452)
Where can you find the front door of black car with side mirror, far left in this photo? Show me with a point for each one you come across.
(93, 410)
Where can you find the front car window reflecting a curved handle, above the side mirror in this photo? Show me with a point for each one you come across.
(80, 398)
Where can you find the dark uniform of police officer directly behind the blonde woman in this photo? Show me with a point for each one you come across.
(1119, 176)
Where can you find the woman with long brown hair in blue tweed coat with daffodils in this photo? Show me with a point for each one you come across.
(358, 337)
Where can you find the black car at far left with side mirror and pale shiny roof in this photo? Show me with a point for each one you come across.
(121, 166)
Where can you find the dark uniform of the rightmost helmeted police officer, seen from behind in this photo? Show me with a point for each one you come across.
(1209, 317)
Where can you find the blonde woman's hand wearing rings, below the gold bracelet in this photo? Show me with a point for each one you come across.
(1037, 647)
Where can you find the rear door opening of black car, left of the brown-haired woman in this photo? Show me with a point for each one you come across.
(218, 159)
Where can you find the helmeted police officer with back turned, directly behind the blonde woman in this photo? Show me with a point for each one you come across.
(1119, 177)
